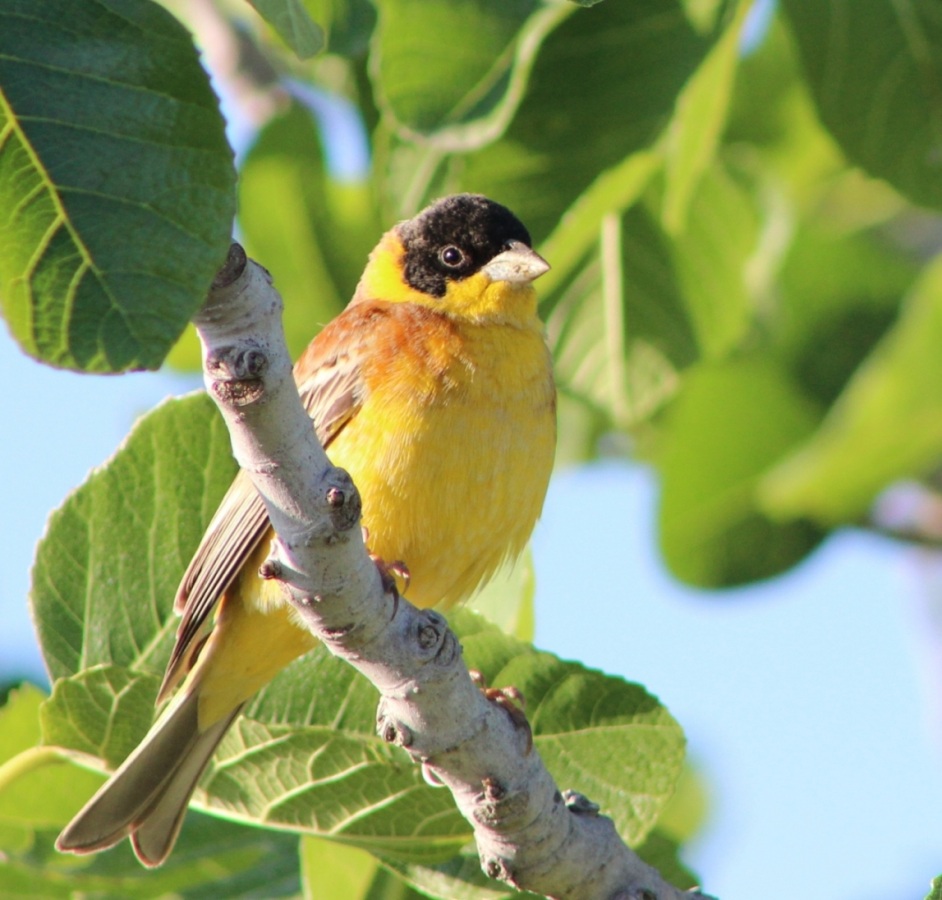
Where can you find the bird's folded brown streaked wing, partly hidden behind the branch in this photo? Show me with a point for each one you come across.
(332, 388)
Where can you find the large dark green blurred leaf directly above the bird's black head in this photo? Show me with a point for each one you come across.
(601, 88)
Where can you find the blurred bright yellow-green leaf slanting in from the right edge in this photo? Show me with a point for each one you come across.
(886, 425)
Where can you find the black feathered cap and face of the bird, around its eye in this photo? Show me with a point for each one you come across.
(454, 238)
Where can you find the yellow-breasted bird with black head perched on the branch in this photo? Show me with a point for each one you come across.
(434, 389)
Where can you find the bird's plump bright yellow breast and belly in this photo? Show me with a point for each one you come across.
(452, 451)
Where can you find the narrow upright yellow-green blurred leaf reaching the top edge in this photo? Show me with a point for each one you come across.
(694, 133)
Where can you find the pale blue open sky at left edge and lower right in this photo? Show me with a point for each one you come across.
(805, 700)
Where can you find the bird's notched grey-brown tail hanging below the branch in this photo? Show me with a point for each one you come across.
(147, 796)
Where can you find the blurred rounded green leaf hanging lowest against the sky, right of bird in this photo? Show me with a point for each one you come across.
(728, 426)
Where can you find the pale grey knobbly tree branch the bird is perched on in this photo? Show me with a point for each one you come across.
(528, 833)
